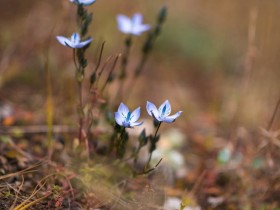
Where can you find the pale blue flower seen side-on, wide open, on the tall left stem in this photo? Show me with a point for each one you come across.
(74, 41)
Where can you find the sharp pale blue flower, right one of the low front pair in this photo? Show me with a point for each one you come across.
(162, 113)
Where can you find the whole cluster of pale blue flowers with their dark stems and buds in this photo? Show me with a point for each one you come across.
(123, 118)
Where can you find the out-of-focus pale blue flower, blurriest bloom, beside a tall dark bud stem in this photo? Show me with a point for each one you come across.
(132, 25)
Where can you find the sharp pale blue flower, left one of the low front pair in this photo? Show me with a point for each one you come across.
(126, 118)
